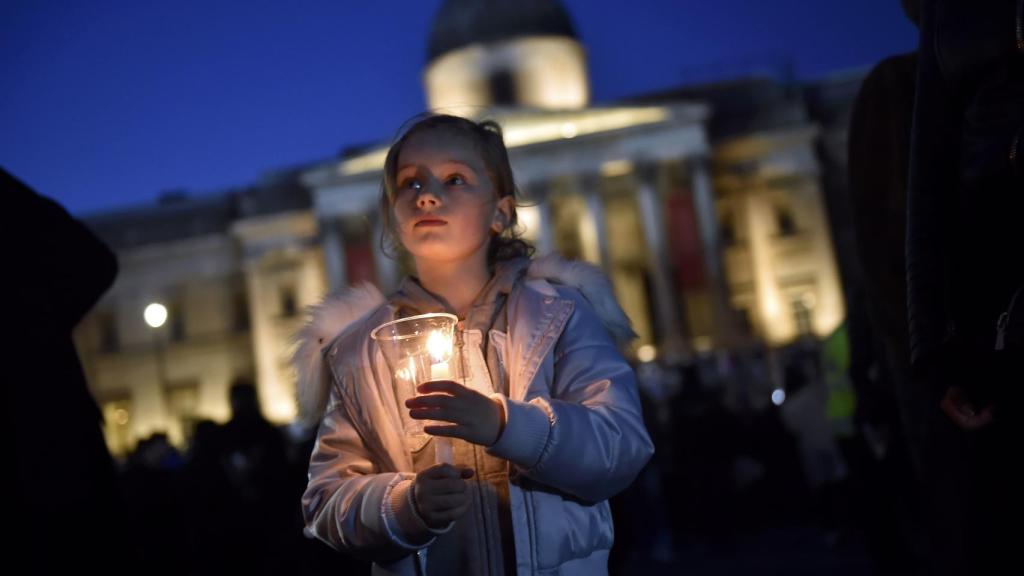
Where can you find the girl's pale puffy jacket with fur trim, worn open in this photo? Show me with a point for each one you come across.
(575, 435)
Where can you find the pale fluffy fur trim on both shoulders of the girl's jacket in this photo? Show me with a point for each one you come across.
(343, 309)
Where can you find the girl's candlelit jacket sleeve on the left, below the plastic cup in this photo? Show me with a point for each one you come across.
(351, 505)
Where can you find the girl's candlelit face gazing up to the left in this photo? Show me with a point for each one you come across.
(446, 203)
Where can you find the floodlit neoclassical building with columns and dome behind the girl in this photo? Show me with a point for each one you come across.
(705, 207)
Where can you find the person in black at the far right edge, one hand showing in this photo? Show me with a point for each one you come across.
(964, 257)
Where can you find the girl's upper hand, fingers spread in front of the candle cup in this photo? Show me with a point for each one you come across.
(476, 418)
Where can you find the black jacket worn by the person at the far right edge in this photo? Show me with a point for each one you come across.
(966, 196)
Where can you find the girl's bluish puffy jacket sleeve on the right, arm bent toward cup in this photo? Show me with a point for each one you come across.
(588, 440)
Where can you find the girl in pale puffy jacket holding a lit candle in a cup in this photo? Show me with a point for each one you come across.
(546, 425)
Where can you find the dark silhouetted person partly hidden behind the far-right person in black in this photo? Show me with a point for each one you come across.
(887, 452)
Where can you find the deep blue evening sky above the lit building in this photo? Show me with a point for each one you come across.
(107, 104)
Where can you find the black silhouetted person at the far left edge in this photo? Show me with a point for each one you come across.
(67, 510)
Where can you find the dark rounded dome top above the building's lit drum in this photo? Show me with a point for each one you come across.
(462, 23)
